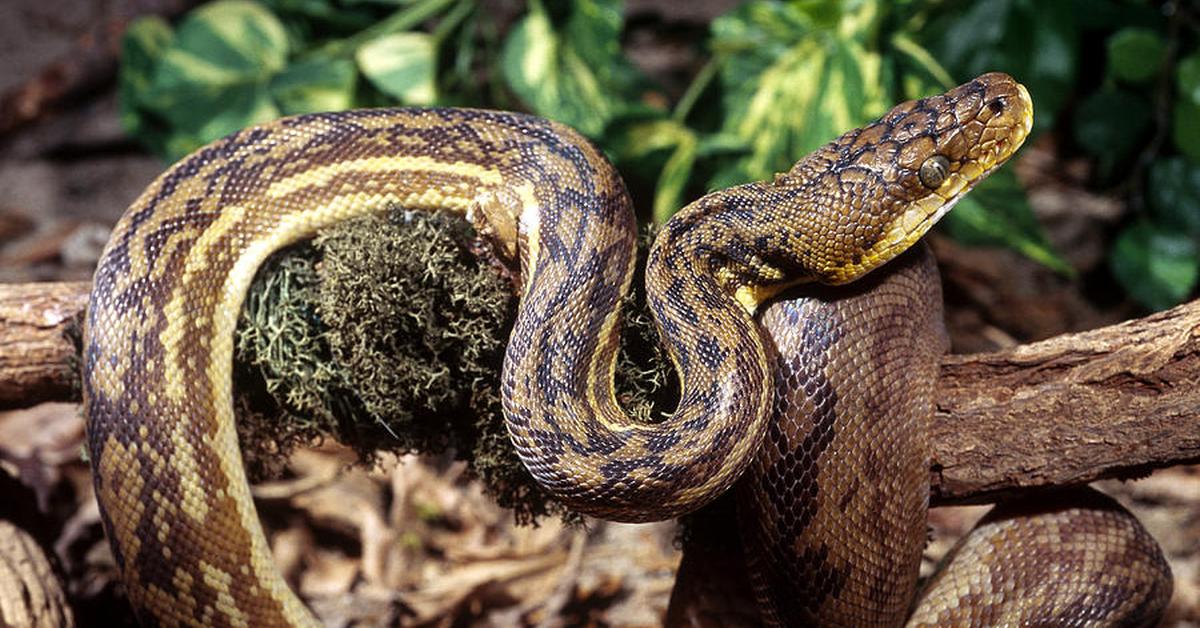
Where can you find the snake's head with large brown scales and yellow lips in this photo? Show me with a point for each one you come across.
(895, 178)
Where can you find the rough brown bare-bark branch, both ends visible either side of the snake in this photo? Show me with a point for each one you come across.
(1112, 403)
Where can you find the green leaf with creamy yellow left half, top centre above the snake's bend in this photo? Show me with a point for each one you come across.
(573, 73)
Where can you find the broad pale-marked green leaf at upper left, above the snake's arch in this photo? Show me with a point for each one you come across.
(213, 79)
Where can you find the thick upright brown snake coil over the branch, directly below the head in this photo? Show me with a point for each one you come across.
(855, 391)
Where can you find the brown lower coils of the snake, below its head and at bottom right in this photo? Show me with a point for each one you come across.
(833, 519)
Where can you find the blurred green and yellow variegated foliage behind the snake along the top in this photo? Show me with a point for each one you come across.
(1118, 81)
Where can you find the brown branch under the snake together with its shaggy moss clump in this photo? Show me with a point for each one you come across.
(389, 334)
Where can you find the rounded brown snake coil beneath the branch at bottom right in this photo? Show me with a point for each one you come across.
(1073, 558)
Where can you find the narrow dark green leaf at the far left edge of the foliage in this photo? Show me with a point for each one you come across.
(145, 43)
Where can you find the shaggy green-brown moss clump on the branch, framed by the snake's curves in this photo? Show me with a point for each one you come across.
(389, 334)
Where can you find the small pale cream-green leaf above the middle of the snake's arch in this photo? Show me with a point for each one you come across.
(403, 65)
